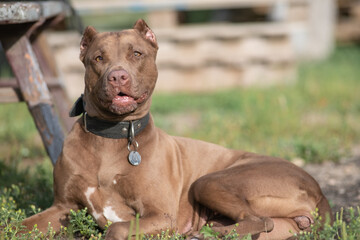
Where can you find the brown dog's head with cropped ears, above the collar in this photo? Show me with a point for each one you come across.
(120, 72)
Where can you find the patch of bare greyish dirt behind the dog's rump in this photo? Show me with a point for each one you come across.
(340, 181)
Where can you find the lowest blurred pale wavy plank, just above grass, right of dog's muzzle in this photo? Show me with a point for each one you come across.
(207, 78)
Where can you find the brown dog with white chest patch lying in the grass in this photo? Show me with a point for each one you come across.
(117, 163)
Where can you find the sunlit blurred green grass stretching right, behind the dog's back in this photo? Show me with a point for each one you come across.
(317, 119)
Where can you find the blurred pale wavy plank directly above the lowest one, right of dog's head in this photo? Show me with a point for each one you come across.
(234, 53)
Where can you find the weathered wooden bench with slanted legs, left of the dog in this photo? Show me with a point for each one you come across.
(36, 80)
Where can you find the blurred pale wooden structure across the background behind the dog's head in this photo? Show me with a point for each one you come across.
(243, 43)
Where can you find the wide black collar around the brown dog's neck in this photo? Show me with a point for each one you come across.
(108, 129)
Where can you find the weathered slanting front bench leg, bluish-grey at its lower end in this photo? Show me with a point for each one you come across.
(25, 66)
